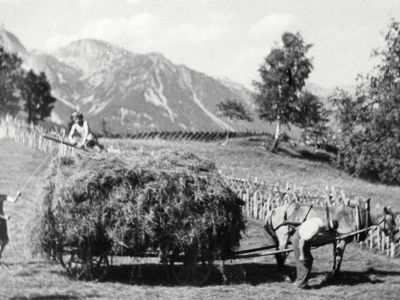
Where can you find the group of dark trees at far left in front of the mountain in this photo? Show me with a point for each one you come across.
(22, 90)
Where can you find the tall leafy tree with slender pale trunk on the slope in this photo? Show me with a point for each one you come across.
(283, 75)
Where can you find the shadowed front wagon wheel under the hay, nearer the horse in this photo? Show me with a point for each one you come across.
(192, 270)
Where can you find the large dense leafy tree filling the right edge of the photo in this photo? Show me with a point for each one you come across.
(370, 120)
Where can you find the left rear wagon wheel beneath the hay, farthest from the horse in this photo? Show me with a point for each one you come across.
(85, 266)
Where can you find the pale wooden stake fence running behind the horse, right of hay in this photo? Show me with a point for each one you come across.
(260, 198)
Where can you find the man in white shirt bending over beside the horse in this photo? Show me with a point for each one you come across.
(301, 242)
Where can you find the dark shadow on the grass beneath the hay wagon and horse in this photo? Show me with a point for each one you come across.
(154, 274)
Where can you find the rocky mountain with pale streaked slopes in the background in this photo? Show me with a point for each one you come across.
(127, 91)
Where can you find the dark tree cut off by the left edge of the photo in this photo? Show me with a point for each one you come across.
(11, 75)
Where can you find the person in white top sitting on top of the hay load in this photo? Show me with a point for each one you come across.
(80, 134)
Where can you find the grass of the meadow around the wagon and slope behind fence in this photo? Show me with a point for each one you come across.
(365, 275)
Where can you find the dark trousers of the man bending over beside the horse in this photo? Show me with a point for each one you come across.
(303, 268)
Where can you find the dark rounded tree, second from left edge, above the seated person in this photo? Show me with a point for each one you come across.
(36, 92)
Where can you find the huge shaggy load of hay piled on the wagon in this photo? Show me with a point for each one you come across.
(125, 206)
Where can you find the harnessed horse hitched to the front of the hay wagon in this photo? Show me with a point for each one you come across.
(282, 221)
